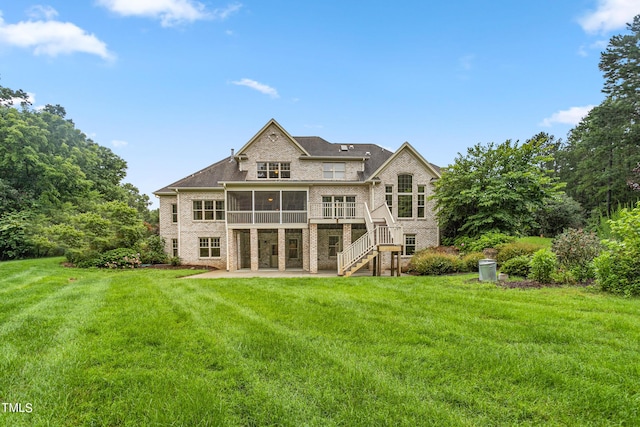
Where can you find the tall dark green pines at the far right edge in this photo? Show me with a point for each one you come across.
(598, 161)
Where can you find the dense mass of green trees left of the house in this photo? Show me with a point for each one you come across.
(60, 192)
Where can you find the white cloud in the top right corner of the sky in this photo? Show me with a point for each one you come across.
(610, 15)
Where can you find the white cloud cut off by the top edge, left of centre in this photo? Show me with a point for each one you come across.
(169, 12)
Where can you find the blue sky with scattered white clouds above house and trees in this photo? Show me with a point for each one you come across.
(172, 85)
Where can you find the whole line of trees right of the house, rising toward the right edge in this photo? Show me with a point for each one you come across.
(544, 185)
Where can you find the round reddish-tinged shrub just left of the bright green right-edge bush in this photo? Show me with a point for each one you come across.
(576, 250)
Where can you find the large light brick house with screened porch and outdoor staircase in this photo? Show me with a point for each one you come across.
(284, 202)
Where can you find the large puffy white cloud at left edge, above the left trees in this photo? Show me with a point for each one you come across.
(51, 38)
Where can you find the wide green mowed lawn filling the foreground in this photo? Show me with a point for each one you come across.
(141, 347)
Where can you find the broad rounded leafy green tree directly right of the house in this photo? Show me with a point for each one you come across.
(495, 188)
